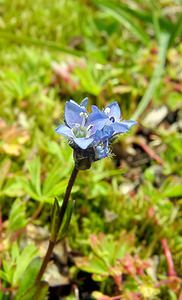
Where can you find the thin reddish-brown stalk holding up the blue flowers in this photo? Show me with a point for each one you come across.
(52, 243)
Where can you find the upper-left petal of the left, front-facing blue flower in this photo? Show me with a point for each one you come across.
(72, 113)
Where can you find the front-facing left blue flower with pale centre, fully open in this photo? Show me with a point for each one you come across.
(80, 127)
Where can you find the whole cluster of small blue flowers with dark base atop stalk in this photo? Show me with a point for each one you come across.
(89, 134)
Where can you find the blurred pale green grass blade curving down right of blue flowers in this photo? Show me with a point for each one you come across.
(156, 77)
